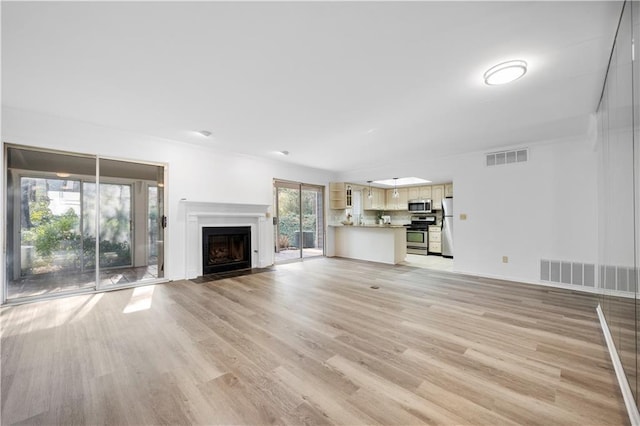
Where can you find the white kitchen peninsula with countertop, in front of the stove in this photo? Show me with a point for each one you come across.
(374, 243)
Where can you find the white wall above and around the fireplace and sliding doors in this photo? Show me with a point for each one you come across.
(194, 173)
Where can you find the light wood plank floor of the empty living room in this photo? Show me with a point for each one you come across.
(312, 343)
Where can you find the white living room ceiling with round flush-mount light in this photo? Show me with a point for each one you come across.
(343, 86)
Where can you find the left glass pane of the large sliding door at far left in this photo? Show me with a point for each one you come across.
(46, 248)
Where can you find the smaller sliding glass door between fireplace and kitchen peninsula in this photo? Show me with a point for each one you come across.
(299, 228)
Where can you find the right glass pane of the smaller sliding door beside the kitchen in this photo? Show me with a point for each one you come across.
(312, 221)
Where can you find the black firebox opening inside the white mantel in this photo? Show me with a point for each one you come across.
(225, 248)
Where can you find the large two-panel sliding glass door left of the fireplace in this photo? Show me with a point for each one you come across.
(72, 229)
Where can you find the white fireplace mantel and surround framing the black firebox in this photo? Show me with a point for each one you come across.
(199, 214)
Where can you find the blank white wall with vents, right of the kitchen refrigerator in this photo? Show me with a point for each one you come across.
(542, 209)
